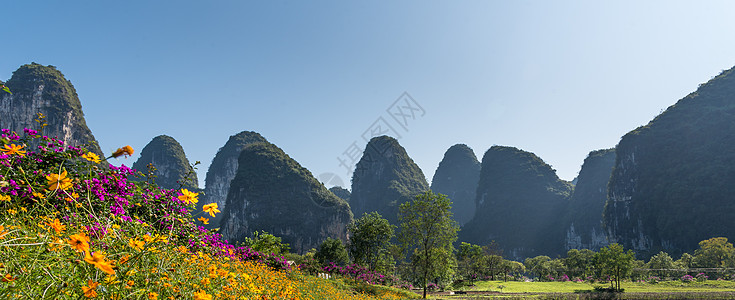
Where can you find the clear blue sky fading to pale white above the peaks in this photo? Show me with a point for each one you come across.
(556, 78)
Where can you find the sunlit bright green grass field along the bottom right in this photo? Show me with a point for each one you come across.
(571, 290)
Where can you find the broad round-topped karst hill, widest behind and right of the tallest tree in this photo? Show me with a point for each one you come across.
(520, 204)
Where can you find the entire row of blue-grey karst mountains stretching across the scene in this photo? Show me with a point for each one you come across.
(666, 186)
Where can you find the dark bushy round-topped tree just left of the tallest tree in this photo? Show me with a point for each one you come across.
(369, 242)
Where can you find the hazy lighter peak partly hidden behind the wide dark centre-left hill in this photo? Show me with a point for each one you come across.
(222, 171)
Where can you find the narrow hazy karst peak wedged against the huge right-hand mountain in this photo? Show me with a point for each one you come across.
(584, 218)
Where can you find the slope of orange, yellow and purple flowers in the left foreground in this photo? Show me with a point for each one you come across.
(74, 227)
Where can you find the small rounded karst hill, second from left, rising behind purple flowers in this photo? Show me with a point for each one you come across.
(172, 167)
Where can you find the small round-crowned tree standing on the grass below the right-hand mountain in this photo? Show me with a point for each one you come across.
(615, 262)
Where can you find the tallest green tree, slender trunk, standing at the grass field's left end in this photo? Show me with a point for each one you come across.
(427, 233)
